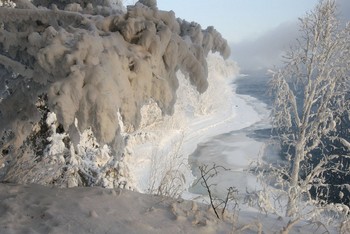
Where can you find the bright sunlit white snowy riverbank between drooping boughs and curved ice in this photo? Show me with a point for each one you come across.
(166, 143)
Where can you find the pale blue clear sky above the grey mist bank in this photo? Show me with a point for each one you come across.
(239, 20)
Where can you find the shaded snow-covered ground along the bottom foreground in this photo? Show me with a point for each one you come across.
(40, 209)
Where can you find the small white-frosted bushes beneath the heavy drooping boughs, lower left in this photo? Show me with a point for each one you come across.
(58, 162)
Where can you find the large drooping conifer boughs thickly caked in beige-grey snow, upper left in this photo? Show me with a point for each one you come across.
(93, 65)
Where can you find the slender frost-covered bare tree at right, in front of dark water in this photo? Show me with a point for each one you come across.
(311, 96)
